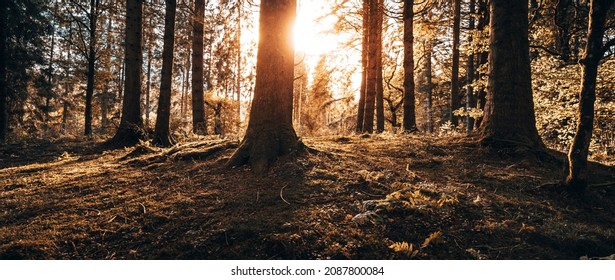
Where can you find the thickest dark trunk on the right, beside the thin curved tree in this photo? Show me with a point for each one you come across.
(509, 112)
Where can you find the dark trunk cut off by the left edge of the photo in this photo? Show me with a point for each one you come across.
(4, 116)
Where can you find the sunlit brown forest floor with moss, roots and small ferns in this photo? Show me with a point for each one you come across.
(376, 197)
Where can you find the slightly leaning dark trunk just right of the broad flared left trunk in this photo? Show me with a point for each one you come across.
(161, 132)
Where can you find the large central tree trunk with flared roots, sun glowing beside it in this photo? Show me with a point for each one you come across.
(270, 131)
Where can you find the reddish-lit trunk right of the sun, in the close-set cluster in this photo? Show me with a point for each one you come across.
(372, 68)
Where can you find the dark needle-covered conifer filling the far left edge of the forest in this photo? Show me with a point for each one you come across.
(24, 82)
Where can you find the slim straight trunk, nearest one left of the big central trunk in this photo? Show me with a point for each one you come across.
(199, 121)
